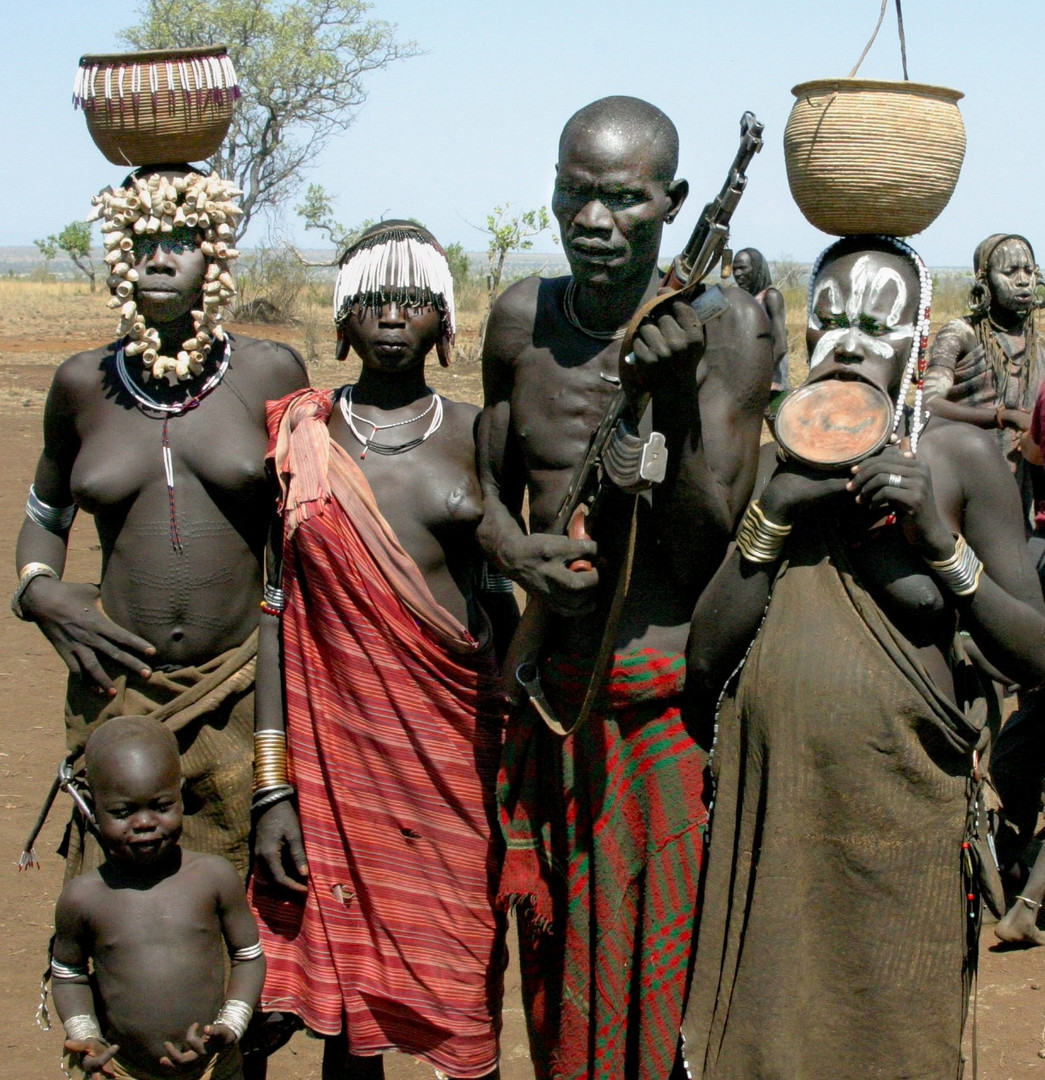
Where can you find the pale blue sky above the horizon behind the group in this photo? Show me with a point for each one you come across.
(476, 121)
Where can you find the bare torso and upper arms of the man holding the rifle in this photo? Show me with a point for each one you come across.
(547, 393)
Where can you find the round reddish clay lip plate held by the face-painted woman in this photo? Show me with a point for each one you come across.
(834, 423)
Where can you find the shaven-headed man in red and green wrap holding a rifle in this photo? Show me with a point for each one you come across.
(617, 807)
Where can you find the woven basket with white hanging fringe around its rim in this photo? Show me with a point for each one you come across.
(161, 106)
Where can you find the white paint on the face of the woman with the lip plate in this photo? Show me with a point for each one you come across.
(860, 314)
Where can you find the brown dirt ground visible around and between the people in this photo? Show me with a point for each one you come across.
(1012, 985)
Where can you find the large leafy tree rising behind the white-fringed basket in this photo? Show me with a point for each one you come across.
(303, 66)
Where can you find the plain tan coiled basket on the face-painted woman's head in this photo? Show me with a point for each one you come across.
(867, 156)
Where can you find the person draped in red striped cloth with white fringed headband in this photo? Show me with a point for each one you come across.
(381, 931)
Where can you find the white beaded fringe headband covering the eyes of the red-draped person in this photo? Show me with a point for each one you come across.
(398, 263)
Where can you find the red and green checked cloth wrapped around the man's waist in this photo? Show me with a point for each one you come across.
(605, 843)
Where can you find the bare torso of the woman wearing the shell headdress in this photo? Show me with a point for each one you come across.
(106, 455)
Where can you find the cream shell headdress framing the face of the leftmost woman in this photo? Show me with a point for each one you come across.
(157, 205)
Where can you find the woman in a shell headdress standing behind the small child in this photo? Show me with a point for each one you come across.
(161, 436)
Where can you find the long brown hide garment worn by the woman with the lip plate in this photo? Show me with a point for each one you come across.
(835, 935)
